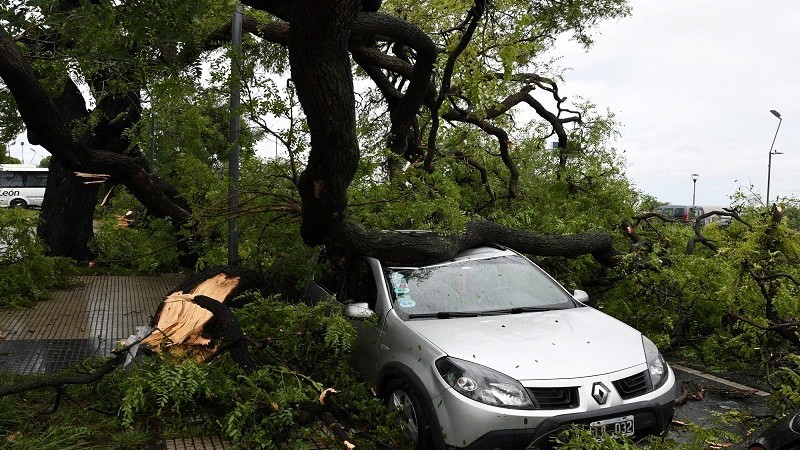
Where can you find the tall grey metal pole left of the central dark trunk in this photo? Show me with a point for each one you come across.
(233, 159)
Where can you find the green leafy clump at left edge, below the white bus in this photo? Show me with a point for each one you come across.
(26, 274)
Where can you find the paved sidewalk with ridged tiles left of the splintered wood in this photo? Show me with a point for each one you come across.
(79, 323)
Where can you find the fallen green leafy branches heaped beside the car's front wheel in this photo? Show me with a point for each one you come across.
(304, 350)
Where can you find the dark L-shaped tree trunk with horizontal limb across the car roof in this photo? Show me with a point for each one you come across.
(321, 71)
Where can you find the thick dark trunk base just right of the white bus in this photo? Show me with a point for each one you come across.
(65, 223)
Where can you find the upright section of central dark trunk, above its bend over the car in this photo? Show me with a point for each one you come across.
(319, 34)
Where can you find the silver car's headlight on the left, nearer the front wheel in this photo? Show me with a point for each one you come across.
(483, 384)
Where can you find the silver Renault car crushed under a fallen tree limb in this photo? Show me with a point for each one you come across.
(486, 351)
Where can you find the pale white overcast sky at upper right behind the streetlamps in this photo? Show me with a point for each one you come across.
(692, 82)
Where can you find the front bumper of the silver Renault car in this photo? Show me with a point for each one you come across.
(467, 424)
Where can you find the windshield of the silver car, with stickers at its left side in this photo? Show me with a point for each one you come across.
(500, 285)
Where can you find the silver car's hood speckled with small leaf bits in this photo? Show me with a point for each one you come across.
(569, 343)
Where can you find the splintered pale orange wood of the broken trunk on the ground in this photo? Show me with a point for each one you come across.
(181, 322)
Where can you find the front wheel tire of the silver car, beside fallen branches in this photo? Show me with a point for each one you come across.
(402, 396)
